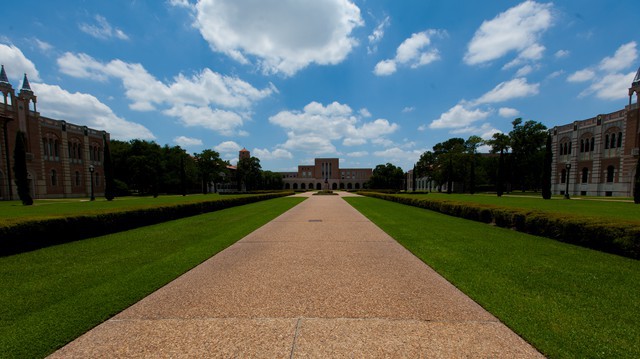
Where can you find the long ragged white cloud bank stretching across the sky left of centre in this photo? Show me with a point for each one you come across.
(206, 99)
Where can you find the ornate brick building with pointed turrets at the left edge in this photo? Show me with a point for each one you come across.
(63, 160)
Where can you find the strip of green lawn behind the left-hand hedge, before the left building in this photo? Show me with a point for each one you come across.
(11, 211)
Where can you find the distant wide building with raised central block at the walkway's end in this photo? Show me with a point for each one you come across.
(326, 173)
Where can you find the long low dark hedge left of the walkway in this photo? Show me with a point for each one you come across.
(39, 233)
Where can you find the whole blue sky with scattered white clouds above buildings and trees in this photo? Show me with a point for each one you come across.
(367, 81)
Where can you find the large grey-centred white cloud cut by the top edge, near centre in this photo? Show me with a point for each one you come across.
(285, 36)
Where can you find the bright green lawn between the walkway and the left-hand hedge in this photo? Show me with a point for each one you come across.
(51, 296)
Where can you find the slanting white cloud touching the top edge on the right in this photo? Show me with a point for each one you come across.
(516, 30)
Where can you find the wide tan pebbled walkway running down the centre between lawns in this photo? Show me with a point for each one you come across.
(319, 281)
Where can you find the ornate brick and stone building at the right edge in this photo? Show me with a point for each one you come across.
(598, 156)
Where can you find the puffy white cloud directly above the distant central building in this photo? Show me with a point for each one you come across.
(315, 127)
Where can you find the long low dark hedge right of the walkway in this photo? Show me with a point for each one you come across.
(622, 238)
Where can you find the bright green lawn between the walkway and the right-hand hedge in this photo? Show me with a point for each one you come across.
(567, 301)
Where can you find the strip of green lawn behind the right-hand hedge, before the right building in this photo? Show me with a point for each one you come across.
(601, 207)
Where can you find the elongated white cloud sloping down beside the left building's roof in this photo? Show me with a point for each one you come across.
(85, 109)
